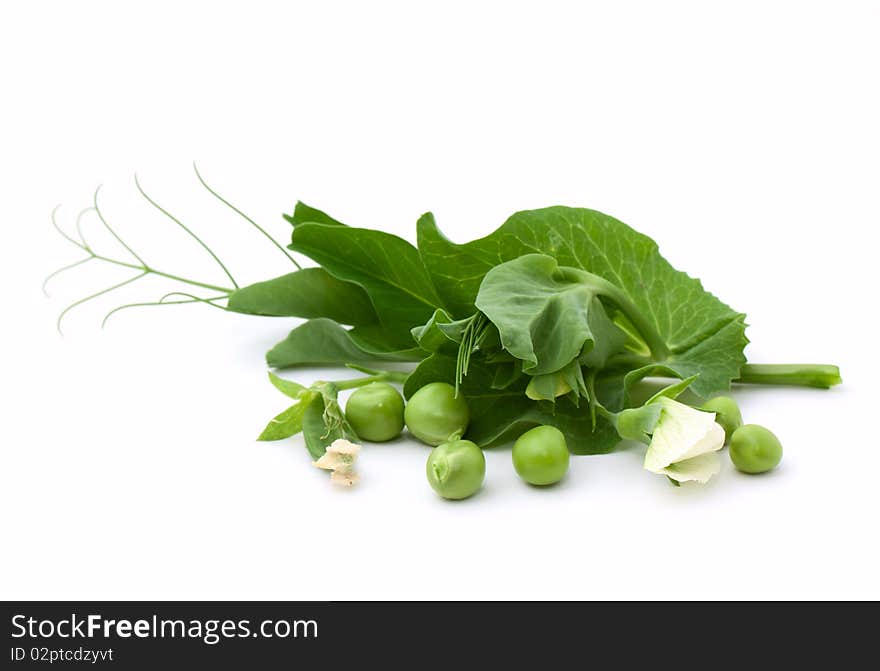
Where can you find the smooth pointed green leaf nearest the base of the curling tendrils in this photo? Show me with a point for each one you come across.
(308, 293)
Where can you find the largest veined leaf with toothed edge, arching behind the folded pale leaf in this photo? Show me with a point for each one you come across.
(703, 334)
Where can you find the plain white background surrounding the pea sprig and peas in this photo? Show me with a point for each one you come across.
(743, 136)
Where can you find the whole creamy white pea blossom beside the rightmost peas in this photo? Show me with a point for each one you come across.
(685, 443)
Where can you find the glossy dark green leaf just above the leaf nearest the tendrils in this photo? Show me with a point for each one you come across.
(388, 268)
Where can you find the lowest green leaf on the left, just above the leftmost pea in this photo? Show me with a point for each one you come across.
(320, 342)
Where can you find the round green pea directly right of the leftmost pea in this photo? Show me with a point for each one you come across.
(434, 415)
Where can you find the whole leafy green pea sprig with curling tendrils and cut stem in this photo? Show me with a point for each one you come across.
(557, 317)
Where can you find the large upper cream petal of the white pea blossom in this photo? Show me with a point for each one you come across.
(682, 433)
